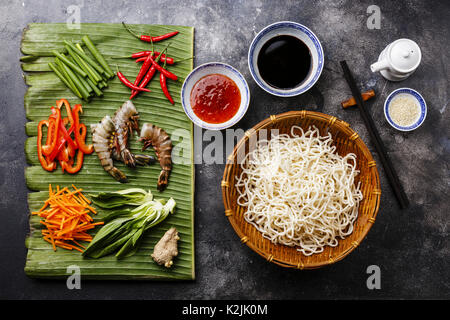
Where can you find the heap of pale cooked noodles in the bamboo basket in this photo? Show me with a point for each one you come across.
(298, 191)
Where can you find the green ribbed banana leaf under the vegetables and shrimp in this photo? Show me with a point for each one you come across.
(45, 88)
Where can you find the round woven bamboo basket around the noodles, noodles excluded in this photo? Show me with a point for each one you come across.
(346, 140)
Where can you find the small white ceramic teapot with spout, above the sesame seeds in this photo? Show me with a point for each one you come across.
(398, 60)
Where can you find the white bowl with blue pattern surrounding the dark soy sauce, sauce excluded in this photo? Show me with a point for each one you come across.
(300, 32)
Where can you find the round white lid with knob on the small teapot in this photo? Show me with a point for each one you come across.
(405, 55)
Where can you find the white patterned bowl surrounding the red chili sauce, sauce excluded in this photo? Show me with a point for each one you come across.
(214, 68)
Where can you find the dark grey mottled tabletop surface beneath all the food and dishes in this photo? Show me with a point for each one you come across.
(411, 246)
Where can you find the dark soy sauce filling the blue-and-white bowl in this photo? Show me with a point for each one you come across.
(284, 62)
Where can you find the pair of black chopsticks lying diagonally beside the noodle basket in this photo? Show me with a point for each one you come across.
(375, 137)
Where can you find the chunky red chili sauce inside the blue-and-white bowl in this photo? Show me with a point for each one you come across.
(215, 98)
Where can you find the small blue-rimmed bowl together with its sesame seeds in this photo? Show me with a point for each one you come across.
(405, 109)
